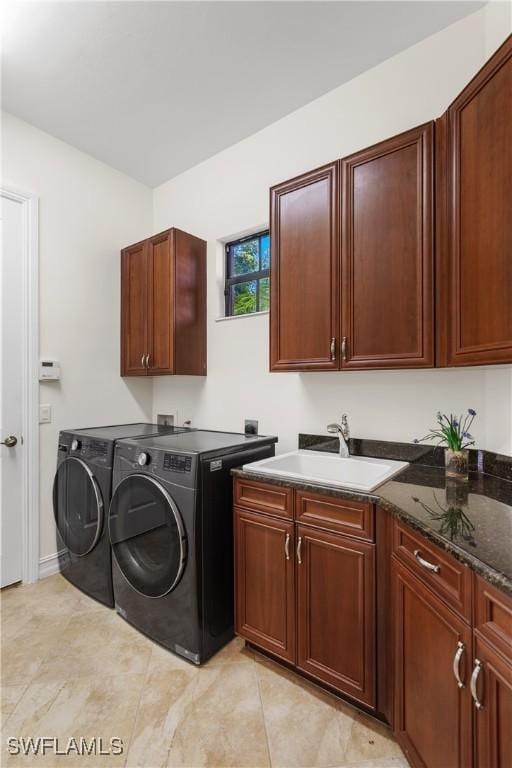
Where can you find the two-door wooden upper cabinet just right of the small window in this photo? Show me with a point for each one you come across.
(369, 303)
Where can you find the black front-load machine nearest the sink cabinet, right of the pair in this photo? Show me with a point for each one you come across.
(171, 531)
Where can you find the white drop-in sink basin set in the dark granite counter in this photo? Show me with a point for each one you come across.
(356, 472)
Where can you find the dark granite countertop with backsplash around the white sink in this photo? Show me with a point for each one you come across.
(472, 520)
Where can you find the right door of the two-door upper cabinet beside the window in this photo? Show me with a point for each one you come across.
(387, 253)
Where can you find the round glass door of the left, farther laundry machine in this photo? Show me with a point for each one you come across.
(77, 506)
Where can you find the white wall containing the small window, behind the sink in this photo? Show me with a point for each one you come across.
(228, 194)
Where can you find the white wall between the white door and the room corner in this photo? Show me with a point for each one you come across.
(87, 212)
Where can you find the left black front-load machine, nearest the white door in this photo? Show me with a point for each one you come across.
(81, 495)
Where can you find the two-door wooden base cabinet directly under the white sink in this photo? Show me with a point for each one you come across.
(304, 593)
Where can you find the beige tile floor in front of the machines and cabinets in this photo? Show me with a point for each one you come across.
(71, 667)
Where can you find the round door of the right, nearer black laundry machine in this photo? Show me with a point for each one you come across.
(147, 535)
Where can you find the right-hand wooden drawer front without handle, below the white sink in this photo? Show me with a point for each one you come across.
(352, 518)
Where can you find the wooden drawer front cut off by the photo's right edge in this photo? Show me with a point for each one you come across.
(493, 616)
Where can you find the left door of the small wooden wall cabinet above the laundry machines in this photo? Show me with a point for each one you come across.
(134, 302)
